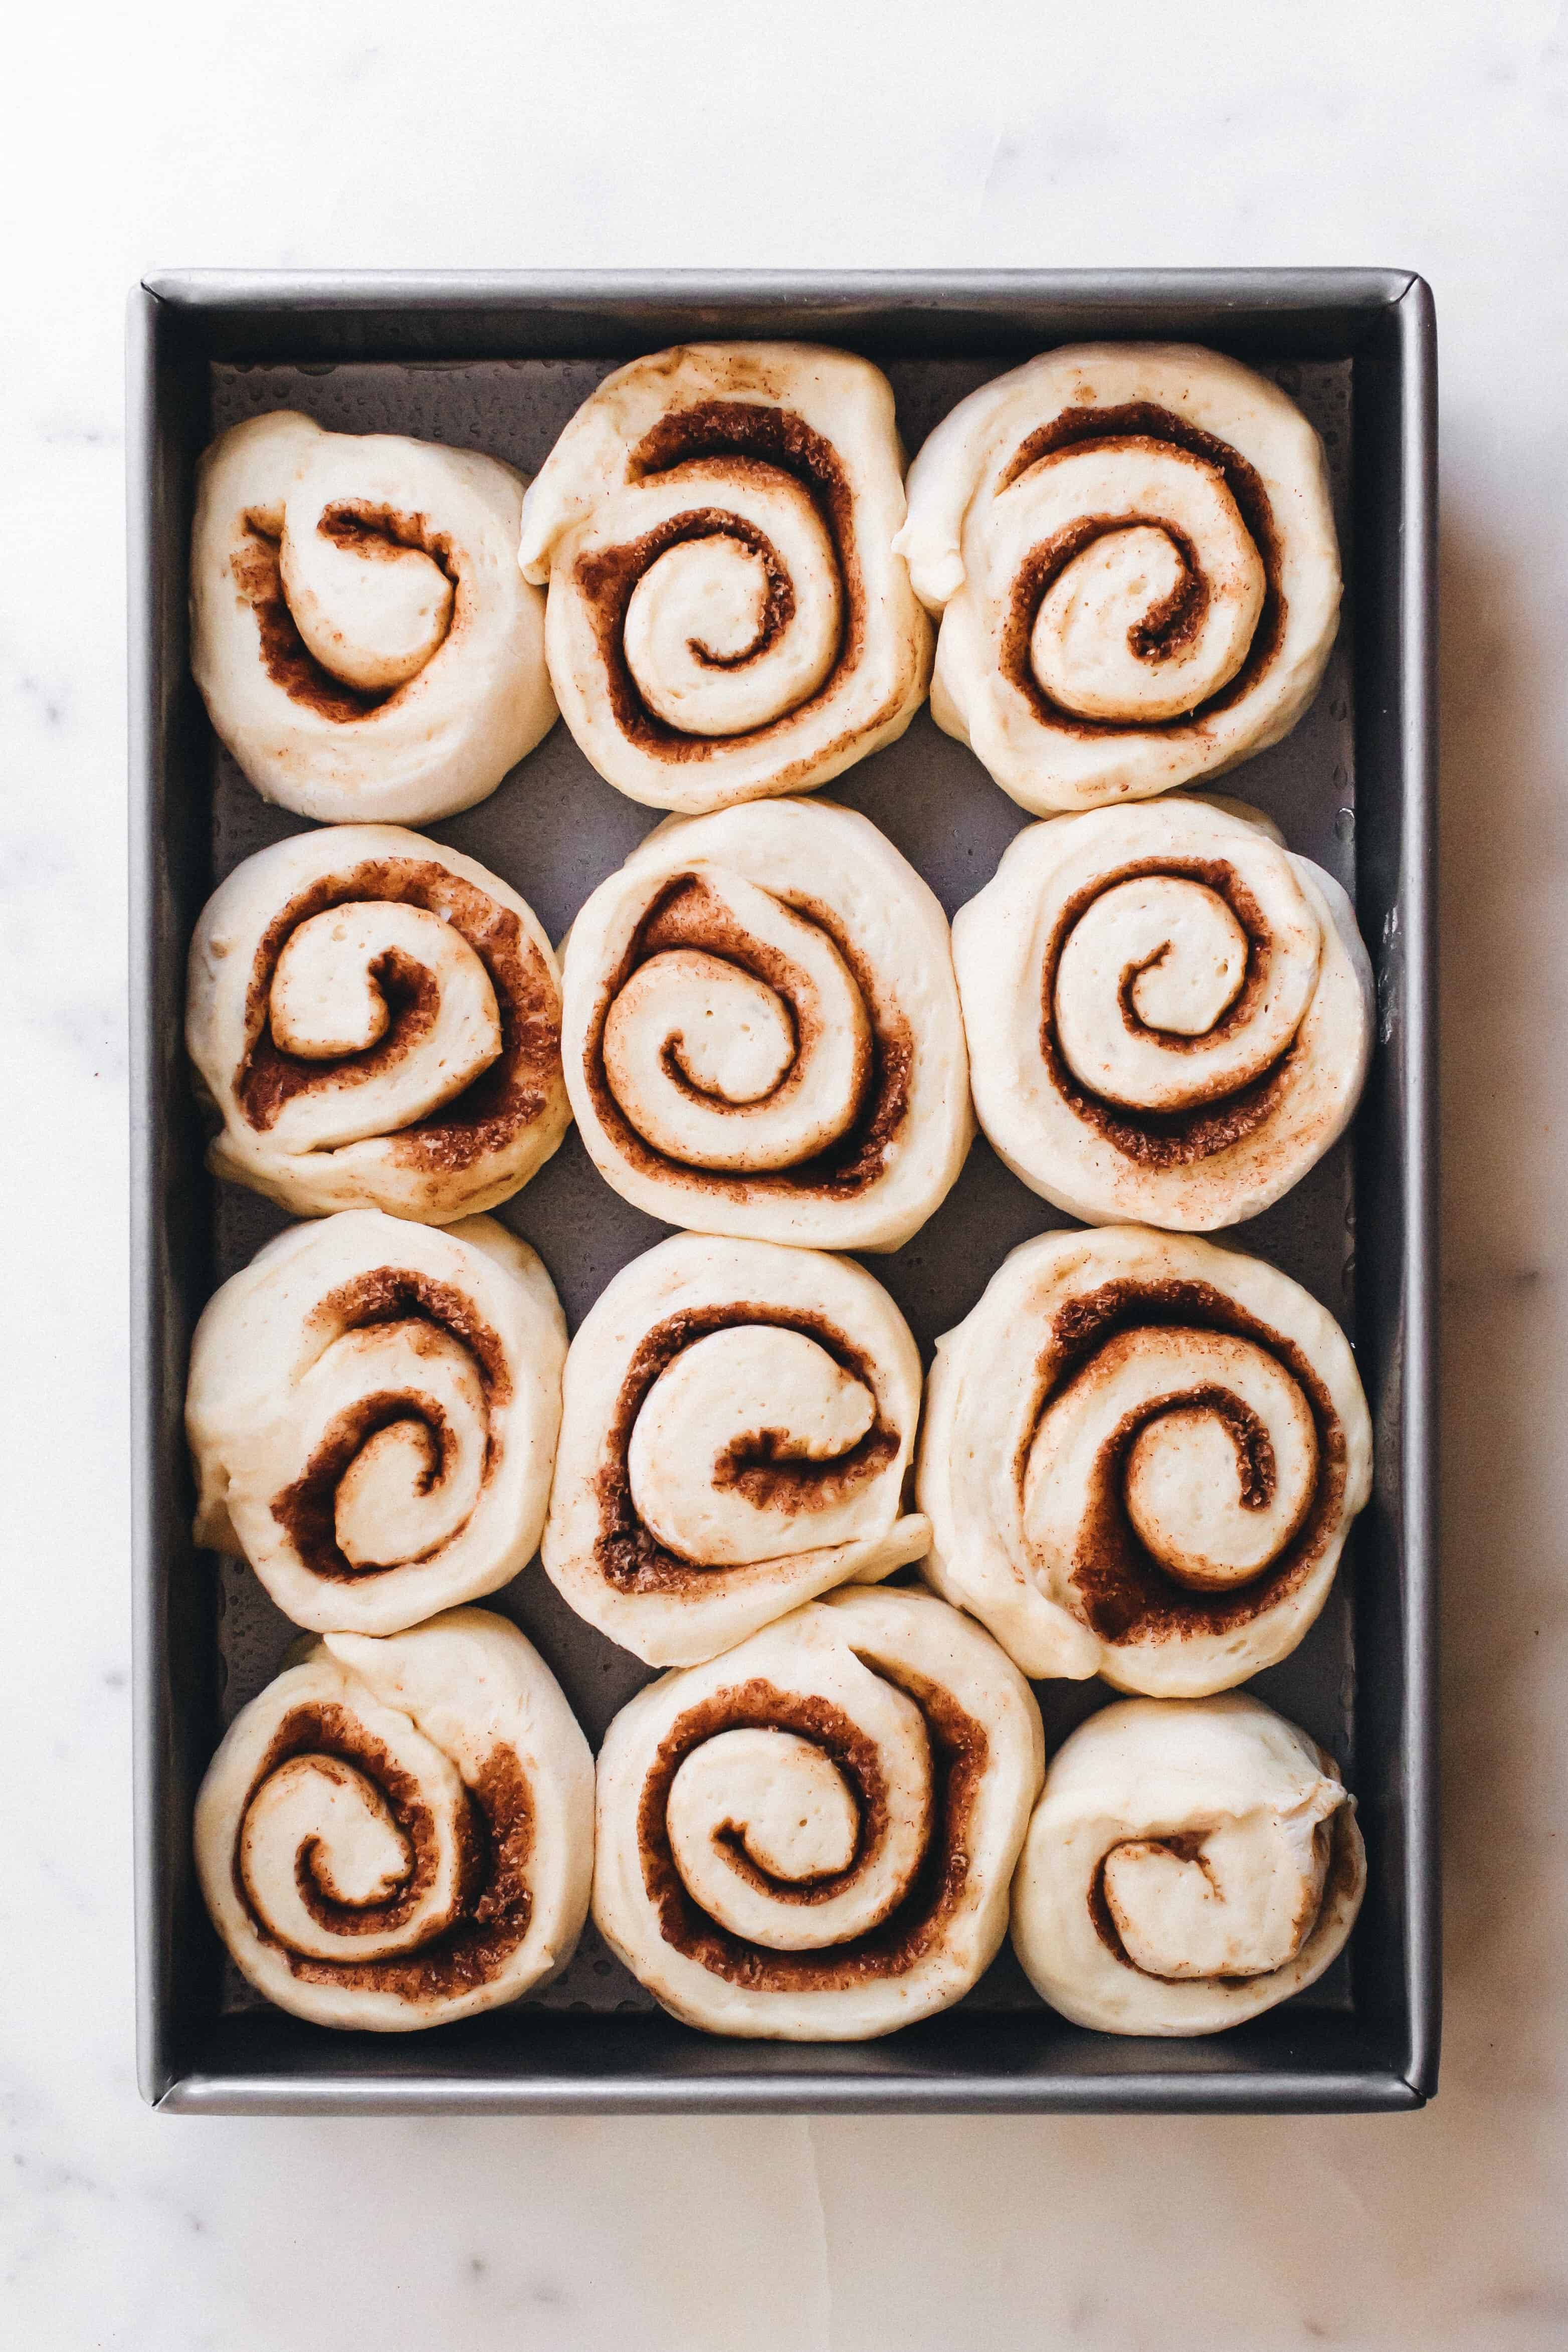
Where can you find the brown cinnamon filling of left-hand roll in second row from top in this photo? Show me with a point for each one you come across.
(502, 1102)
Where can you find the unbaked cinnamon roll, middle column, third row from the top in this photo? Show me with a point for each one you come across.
(737, 1438)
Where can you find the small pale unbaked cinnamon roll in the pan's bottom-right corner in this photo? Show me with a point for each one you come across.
(1191, 1864)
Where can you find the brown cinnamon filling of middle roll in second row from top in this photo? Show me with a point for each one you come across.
(688, 914)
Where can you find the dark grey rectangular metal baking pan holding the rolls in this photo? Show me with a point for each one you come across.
(502, 361)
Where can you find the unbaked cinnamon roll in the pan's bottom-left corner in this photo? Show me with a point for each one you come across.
(398, 1833)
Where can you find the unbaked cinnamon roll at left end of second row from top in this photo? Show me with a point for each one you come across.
(377, 1024)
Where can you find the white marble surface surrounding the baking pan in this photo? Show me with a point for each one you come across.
(885, 133)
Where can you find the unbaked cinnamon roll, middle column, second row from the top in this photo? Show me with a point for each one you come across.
(763, 1031)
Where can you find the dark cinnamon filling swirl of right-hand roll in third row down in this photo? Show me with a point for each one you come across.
(1123, 1591)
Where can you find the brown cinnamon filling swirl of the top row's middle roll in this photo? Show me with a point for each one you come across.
(739, 441)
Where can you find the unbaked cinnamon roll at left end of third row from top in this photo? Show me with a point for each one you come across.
(373, 1415)
